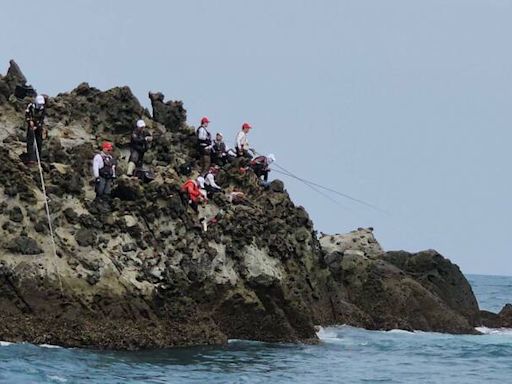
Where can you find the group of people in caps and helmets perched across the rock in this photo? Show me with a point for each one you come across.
(212, 155)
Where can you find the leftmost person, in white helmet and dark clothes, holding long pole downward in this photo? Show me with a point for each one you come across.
(34, 116)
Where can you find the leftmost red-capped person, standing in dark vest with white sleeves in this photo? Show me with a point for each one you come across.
(104, 170)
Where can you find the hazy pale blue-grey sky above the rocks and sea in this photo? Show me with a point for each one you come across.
(403, 104)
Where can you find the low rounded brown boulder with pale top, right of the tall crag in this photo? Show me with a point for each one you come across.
(420, 291)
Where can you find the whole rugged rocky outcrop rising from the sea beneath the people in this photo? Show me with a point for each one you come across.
(138, 272)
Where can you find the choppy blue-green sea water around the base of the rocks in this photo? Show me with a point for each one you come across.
(345, 355)
